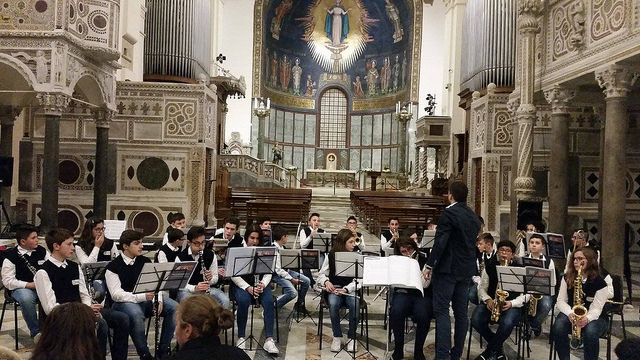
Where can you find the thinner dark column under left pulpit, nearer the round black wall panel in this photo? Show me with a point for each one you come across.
(102, 118)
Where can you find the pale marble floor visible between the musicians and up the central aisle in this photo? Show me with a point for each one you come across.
(299, 340)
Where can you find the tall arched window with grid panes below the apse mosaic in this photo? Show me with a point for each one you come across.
(333, 120)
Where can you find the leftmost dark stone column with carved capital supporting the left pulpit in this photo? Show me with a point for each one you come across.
(52, 106)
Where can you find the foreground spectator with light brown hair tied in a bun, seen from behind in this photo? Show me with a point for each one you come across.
(199, 320)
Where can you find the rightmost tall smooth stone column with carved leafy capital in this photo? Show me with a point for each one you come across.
(617, 81)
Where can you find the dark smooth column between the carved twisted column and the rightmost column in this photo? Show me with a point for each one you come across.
(559, 99)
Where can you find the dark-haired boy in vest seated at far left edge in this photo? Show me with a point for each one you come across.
(18, 268)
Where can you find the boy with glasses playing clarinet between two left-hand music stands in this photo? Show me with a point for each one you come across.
(196, 242)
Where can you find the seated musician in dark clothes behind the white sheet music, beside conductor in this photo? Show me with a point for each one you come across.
(410, 302)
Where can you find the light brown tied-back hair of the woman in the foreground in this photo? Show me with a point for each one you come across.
(204, 314)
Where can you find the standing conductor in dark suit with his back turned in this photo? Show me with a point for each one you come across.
(452, 263)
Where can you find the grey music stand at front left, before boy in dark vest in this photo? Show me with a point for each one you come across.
(158, 277)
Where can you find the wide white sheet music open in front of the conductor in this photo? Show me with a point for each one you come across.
(394, 270)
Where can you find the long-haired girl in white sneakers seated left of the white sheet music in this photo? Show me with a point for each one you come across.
(341, 291)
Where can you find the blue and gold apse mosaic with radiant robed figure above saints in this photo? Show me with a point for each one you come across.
(363, 45)
